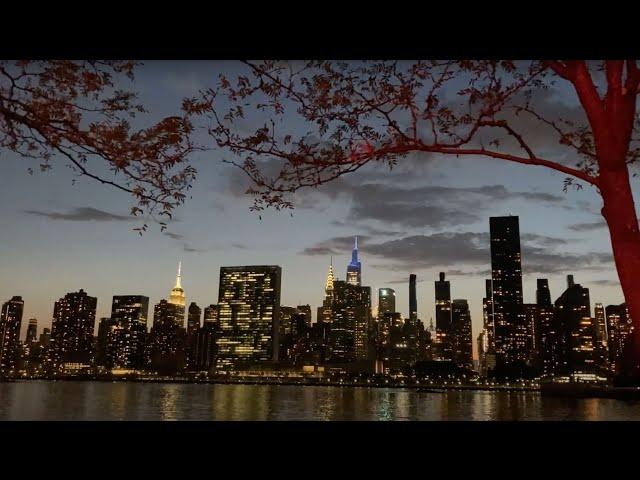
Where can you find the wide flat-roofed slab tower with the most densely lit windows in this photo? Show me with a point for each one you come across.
(248, 316)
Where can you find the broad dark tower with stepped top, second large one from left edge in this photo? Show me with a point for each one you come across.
(74, 318)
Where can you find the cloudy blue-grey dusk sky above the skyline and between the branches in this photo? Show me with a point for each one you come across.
(429, 214)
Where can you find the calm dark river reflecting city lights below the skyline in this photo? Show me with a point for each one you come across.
(40, 400)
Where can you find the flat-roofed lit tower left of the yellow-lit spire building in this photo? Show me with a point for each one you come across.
(126, 332)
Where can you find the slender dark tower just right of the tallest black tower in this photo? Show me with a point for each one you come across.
(549, 339)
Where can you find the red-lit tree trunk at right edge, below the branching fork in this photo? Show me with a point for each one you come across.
(620, 213)
